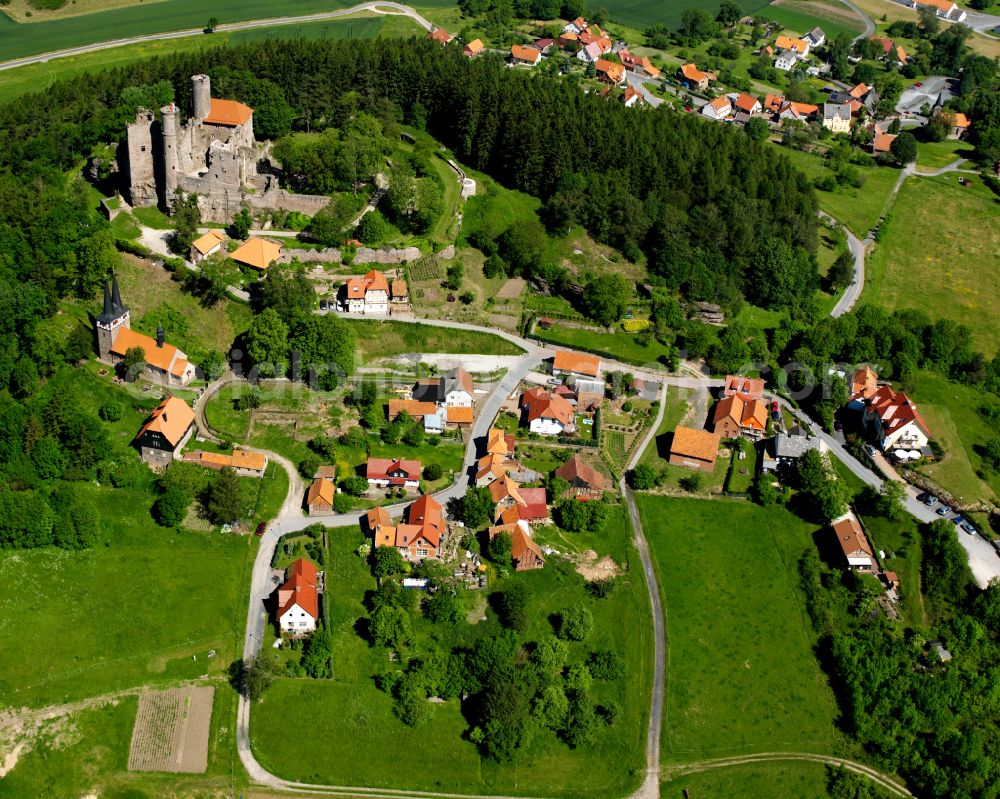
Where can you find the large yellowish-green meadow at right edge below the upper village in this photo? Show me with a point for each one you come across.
(956, 264)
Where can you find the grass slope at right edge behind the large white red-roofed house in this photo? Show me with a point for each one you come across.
(951, 411)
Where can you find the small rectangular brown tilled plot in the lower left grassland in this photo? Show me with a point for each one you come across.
(171, 730)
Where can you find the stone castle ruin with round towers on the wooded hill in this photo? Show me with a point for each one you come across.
(213, 155)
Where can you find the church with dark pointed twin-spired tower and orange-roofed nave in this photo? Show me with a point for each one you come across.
(115, 337)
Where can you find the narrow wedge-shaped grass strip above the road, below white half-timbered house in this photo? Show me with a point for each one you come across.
(385, 339)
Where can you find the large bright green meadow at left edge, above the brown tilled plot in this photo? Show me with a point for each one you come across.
(135, 609)
